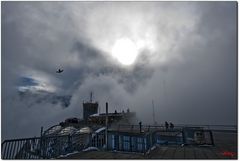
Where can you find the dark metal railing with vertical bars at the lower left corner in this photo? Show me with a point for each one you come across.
(43, 147)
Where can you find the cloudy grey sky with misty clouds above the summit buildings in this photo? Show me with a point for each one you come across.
(181, 55)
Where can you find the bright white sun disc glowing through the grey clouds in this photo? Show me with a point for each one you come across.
(125, 51)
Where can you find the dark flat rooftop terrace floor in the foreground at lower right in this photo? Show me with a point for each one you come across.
(225, 148)
